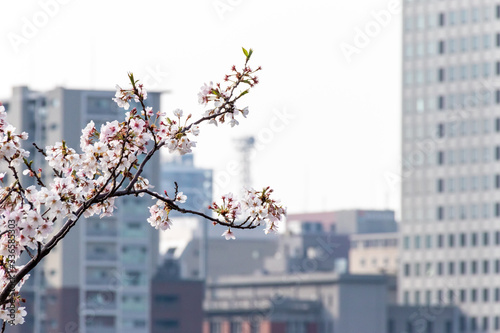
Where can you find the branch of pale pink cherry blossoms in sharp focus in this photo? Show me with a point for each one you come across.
(89, 182)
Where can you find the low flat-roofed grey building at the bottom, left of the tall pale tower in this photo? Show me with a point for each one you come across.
(340, 299)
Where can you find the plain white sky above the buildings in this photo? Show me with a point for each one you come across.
(343, 136)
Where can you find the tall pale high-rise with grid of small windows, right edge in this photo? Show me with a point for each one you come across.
(450, 243)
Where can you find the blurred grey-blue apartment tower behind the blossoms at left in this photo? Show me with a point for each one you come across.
(97, 280)
